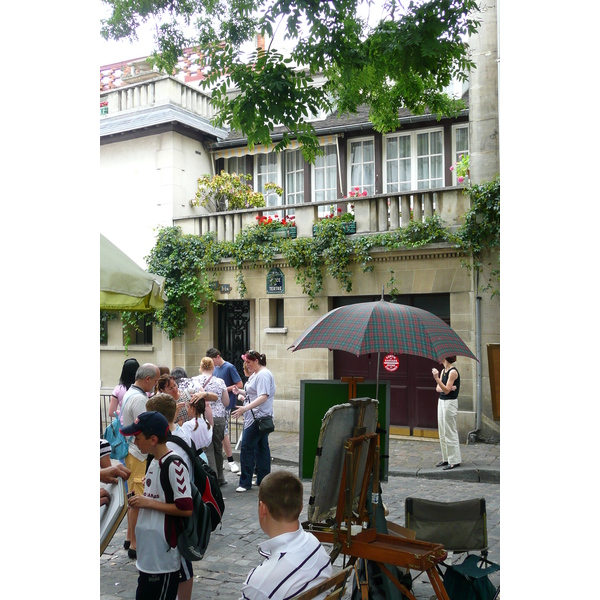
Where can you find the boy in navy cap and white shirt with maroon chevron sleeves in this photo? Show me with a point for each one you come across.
(158, 559)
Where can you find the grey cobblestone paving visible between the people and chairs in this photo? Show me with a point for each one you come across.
(233, 548)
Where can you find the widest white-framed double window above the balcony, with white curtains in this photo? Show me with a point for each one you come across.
(414, 160)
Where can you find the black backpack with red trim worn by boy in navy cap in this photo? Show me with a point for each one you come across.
(190, 535)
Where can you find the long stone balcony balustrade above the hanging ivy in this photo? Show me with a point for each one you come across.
(373, 214)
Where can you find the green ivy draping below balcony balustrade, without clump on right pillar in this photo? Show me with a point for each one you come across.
(185, 261)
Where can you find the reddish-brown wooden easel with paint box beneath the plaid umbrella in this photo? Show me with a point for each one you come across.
(369, 544)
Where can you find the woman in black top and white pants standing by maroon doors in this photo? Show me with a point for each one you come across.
(448, 384)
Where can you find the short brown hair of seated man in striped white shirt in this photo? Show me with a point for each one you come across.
(282, 493)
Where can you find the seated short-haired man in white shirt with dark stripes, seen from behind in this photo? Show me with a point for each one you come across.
(294, 561)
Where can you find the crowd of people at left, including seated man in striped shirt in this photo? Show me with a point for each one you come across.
(153, 404)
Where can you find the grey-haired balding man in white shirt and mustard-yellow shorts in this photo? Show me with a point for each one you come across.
(134, 403)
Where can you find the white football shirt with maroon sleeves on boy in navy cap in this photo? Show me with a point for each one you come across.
(154, 554)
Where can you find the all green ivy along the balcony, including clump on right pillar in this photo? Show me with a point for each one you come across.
(186, 261)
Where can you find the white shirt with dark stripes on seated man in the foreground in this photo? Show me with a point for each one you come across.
(294, 562)
